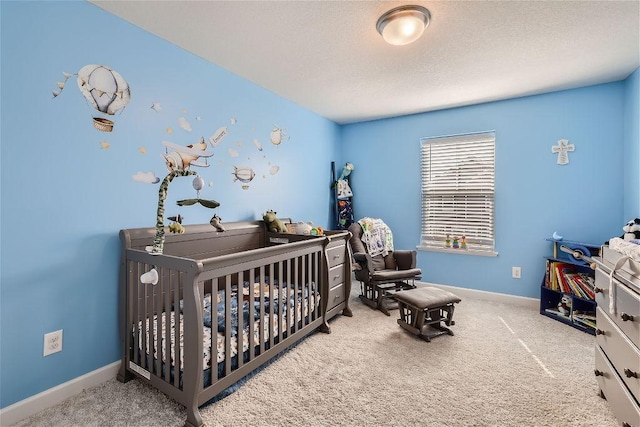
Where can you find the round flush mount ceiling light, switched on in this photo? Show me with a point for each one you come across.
(403, 24)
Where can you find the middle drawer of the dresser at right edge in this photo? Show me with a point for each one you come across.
(620, 350)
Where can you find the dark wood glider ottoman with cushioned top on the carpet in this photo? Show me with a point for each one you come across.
(425, 311)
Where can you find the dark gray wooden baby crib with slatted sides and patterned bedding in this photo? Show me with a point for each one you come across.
(223, 304)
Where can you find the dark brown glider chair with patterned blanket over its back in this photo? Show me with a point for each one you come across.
(382, 275)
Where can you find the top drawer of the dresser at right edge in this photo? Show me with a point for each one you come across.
(627, 308)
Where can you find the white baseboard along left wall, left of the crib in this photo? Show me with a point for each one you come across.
(48, 398)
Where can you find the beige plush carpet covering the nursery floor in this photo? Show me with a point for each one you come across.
(506, 366)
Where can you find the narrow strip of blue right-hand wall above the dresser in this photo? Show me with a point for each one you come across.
(632, 147)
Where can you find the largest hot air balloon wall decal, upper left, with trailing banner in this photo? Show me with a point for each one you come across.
(104, 89)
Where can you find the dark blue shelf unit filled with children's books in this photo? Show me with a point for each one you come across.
(567, 292)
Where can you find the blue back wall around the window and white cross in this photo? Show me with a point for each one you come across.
(534, 196)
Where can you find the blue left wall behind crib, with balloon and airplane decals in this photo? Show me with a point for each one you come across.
(64, 198)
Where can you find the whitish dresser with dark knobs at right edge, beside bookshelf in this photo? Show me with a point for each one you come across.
(617, 353)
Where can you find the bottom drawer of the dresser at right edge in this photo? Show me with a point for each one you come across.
(622, 403)
